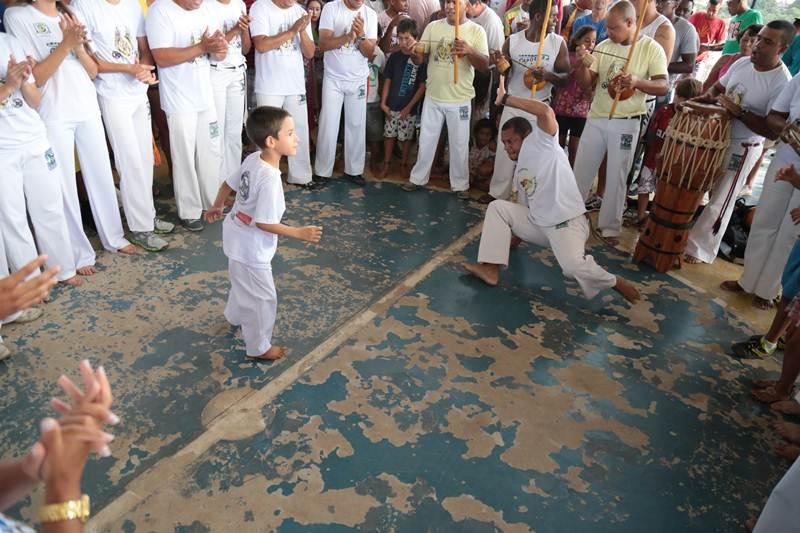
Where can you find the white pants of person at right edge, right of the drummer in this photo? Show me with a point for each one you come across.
(772, 234)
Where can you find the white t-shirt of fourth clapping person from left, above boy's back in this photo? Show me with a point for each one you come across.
(185, 87)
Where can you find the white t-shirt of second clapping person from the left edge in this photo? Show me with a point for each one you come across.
(69, 94)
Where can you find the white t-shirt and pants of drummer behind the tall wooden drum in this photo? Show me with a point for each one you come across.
(756, 91)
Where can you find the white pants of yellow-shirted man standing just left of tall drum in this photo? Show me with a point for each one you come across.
(616, 138)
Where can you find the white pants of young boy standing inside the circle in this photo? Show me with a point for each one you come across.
(252, 304)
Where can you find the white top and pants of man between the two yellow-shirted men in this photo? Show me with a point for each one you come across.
(523, 56)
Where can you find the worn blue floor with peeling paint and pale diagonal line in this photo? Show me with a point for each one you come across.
(414, 398)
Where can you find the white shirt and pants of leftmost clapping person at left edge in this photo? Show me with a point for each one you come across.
(30, 177)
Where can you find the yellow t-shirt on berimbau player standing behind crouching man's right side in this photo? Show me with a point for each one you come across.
(647, 62)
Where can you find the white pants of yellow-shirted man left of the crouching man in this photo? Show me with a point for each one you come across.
(457, 116)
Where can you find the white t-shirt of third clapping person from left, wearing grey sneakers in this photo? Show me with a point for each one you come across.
(114, 31)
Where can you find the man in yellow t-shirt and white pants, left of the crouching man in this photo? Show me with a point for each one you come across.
(445, 100)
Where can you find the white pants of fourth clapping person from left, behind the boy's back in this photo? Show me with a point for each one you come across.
(194, 139)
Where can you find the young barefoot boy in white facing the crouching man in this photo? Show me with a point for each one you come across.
(250, 231)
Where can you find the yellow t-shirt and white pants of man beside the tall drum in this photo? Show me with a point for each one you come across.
(615, 138)
